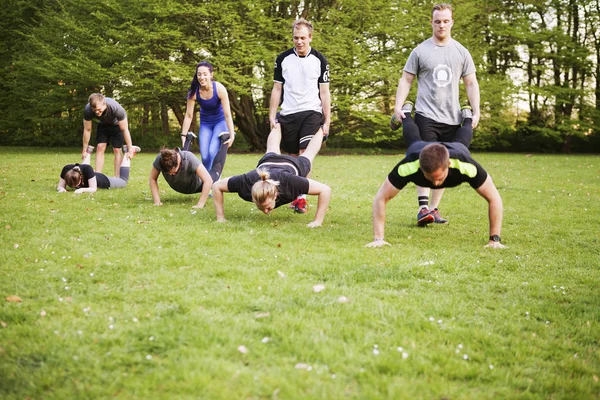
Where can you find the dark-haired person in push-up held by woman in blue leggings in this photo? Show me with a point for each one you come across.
(185, 173)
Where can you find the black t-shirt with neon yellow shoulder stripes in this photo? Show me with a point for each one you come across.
(462, 168)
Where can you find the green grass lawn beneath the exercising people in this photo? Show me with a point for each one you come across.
(125, 300)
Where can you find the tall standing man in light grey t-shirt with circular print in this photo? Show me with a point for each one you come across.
(439, 63)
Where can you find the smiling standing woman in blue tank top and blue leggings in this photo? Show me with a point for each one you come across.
(216, 123)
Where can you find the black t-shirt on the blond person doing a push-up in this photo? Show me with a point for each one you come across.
(282, 168)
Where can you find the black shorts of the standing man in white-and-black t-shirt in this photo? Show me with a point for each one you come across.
(297, 129)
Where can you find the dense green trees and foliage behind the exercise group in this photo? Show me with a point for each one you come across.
(538, 65)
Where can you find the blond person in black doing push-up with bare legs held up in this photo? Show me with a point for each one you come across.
(277, 180)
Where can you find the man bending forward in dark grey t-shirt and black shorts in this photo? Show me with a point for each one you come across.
(112, 126)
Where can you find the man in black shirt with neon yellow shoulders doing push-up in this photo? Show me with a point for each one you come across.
(436, 165)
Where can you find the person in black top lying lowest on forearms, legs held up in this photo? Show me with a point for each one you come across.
(83, 179)
